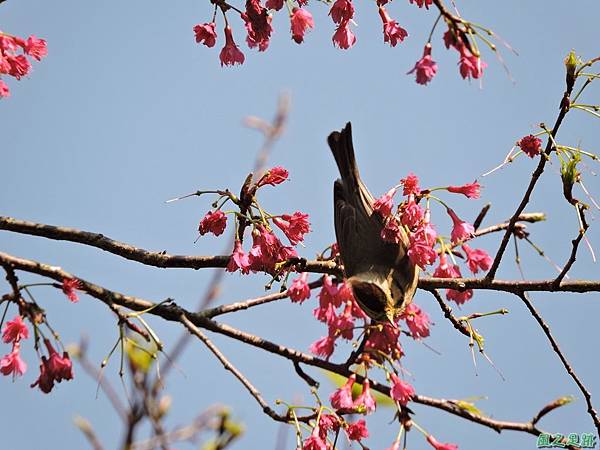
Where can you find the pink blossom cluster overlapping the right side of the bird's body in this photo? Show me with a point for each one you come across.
(414, 221)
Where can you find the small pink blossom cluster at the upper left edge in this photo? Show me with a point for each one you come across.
(13, 57)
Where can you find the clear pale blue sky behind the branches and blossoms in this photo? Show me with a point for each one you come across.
(127, 111)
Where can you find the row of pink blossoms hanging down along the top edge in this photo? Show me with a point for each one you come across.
(257, 18)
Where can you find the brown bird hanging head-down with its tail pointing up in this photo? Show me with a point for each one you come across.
(380, 273)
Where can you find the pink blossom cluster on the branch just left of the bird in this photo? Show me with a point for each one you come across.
(267, 253)
